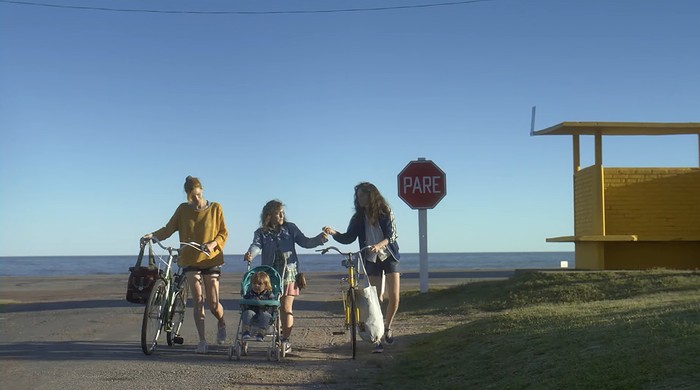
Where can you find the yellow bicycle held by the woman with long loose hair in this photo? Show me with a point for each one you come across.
(348, 292)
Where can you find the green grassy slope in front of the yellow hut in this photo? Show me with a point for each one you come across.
(632, 329)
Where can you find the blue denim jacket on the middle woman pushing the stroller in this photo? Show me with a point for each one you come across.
(269, 242)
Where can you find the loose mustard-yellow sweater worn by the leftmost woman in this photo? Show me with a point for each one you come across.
(199, 226)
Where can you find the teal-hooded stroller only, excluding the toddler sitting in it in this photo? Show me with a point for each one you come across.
(239, 346)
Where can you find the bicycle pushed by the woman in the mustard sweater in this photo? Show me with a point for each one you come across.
(165, 308)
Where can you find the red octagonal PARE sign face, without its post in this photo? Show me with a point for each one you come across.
(422, 185)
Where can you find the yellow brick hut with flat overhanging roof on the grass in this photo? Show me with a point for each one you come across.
(632, 218)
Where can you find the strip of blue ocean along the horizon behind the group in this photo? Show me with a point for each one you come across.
(114, 265)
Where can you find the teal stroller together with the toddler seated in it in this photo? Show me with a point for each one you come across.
(261, 291)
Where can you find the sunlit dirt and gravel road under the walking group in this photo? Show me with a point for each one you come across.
(81, 333)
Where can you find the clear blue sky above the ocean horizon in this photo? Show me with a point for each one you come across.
(104, 113)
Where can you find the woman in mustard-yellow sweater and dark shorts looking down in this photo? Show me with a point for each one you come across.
(200, 221)
